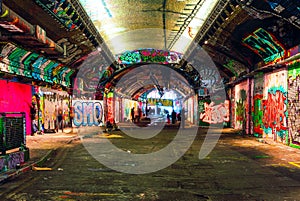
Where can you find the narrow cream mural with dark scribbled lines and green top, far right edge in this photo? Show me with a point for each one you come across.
(294, 103)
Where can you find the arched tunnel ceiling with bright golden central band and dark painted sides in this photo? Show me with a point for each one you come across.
(237, 34)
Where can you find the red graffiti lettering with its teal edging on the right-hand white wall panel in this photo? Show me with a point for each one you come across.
(275, 112)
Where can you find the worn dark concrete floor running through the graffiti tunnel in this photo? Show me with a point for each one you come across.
(238, 168)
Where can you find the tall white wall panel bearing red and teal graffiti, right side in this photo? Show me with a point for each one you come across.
(275, 105)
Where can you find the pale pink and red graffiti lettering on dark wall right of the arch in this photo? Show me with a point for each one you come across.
(214, 114)
